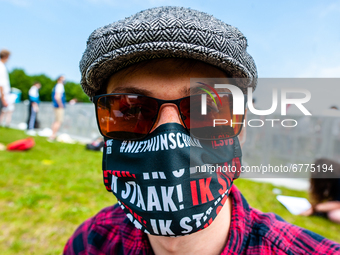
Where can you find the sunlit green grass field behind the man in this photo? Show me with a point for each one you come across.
(46, 192)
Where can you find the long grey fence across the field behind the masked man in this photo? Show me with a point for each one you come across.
(314, 136)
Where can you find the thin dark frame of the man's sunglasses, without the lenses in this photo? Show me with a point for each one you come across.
(160, 102)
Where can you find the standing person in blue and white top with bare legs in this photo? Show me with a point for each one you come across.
(59, 103)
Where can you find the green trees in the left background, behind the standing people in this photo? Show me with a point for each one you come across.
(19, 79)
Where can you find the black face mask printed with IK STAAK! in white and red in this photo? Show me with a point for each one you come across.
(171, 184)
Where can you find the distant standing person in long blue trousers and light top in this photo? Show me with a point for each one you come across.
(33, 108)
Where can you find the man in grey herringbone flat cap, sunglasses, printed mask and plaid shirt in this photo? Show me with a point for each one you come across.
(152, 78)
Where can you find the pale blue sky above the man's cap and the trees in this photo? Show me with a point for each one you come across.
(286, 38)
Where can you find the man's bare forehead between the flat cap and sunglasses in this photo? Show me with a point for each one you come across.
(163, 72)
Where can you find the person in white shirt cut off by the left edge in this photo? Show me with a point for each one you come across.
(5, 88)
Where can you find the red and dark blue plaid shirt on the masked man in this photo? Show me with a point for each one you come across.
(251, 232)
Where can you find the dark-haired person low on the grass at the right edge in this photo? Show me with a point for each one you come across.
(325, 192)
